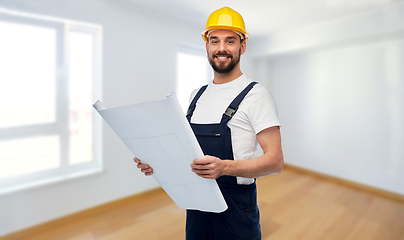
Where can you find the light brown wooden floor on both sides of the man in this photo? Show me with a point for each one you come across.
(293, 206)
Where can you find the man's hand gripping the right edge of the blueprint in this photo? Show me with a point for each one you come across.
(209, 167)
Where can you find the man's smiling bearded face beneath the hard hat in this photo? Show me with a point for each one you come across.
(224, 49)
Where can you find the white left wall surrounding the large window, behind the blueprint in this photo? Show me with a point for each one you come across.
(139, 52)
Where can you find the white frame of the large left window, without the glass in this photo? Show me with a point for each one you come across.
(60, 127)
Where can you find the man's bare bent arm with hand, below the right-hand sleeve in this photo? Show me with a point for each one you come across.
(269, 163)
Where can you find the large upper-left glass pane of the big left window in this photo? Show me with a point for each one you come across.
(28, 75)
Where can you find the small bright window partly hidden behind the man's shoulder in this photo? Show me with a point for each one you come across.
(193, 71)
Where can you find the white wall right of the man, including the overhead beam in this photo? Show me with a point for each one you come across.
(339, 89)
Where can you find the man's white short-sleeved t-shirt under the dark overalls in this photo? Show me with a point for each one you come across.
(256, 112)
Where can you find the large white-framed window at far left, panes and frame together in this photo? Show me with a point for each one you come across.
(49, 79)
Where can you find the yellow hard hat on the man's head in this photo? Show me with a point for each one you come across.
(225, 18)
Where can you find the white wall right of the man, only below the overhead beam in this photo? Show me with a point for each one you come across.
(342, 112)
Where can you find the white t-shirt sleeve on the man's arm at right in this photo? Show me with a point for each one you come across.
(262, 112)
